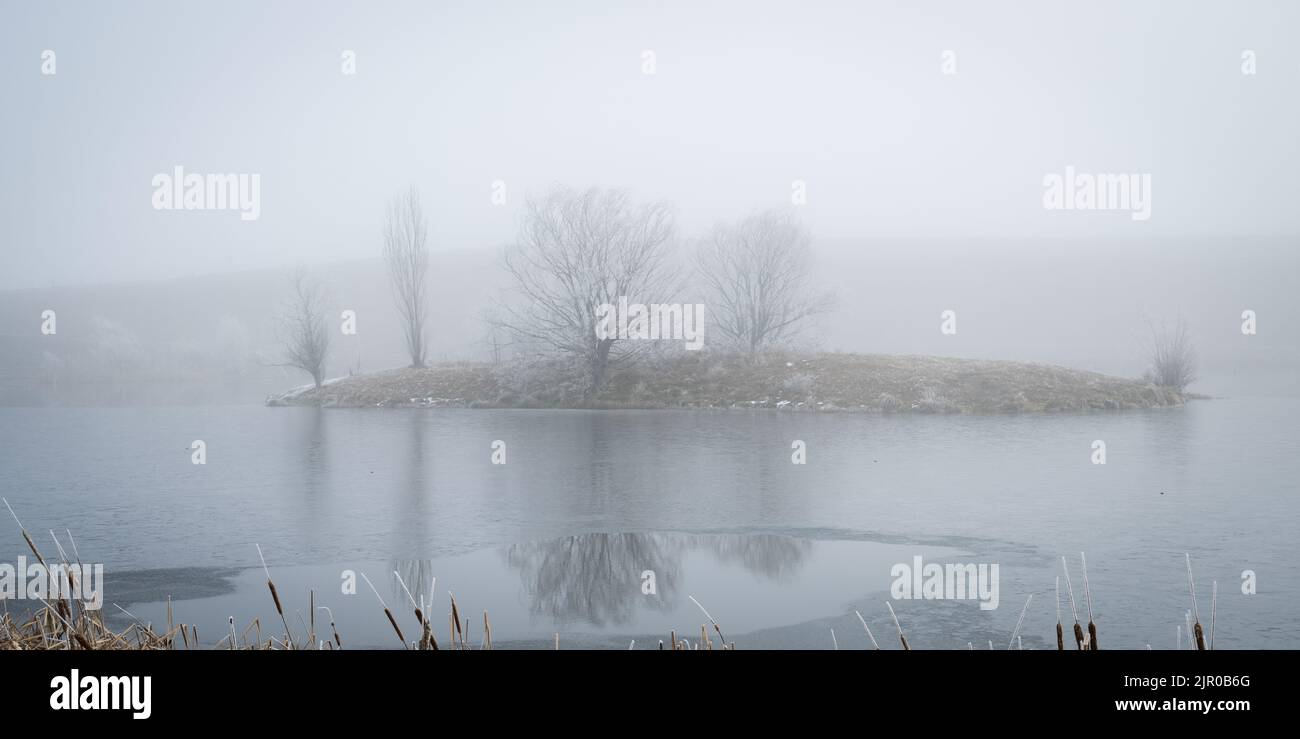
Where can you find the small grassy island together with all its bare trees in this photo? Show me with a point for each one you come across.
(595, 318)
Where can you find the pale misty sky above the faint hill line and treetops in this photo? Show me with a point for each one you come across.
(746, 100)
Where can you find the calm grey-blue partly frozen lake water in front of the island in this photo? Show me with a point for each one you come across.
(557, 539)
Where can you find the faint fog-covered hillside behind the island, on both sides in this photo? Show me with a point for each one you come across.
(214, 338)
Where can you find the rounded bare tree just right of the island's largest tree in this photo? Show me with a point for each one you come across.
(757, 273)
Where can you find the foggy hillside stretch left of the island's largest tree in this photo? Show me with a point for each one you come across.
(213, 339)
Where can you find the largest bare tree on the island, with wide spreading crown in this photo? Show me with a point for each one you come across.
(578, 252)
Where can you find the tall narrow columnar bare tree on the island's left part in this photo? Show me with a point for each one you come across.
(408, 257)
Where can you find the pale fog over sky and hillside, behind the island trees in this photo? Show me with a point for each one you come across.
(925, 191)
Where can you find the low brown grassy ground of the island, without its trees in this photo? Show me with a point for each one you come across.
(859, 383)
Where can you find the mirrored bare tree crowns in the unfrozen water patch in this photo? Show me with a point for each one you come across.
(596, 578)
